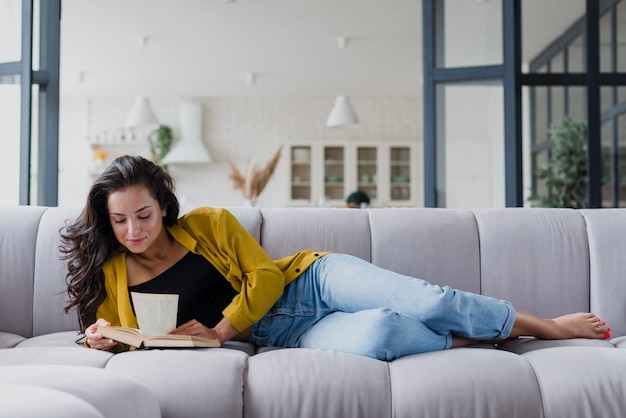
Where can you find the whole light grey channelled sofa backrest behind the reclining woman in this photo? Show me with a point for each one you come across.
(545, 261)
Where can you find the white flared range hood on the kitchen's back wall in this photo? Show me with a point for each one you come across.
(190, 149)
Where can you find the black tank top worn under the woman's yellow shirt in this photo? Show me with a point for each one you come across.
(203, 292)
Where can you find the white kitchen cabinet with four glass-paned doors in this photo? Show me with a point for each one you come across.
(323, 174)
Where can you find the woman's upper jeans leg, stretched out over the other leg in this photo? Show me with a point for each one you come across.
(349, 284)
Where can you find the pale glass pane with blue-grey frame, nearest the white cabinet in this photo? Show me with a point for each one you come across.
(465, 141)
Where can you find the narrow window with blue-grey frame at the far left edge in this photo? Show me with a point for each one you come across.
(29, 101)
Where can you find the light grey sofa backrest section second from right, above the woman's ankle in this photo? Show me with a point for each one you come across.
(536, 258)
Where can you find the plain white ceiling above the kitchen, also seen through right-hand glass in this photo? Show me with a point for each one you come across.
(210, 48)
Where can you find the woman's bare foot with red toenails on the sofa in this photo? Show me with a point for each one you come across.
(577, 325)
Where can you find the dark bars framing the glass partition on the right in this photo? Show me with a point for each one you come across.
(510, 73)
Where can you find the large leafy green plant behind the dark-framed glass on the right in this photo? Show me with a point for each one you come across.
(565, 174)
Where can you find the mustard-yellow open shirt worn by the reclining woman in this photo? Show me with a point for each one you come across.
(218, 236)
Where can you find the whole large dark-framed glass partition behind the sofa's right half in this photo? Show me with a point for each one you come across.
(562, 69)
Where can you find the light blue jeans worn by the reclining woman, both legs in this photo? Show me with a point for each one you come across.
(346, 304)
